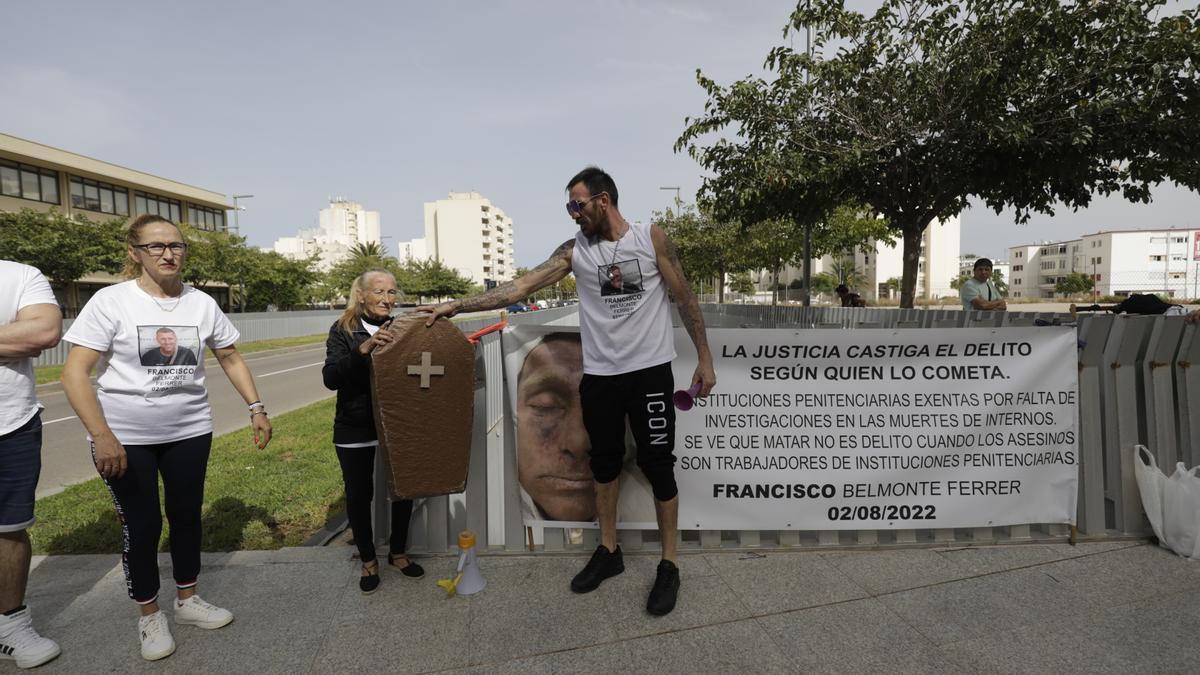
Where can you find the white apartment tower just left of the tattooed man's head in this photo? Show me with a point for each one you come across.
(469, 234)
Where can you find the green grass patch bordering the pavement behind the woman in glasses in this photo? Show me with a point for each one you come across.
(253, 499)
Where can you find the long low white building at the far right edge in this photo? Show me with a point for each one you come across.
(1120, 262)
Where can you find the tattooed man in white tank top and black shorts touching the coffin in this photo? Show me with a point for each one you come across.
(628, 348)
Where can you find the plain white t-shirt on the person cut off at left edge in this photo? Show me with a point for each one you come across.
(21, 286)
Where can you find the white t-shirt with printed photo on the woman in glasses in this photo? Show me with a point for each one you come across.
(151, 375)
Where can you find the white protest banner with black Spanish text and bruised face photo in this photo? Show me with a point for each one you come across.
(824, 431)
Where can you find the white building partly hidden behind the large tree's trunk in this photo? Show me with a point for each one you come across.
(938, 268)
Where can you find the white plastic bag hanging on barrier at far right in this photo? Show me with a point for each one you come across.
(1172, 504)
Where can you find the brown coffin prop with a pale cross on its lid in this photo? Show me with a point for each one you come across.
(424, 390)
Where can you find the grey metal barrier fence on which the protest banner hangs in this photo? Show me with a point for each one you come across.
(1136, 386)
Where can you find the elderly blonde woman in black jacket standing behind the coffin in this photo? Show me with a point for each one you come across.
(349, 348)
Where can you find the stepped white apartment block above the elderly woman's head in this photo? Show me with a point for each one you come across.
(340, 228)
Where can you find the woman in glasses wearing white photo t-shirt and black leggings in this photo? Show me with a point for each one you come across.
(149, 416)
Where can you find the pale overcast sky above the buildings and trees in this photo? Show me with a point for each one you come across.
(398, 104)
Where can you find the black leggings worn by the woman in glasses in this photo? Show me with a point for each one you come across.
(183, 465)
